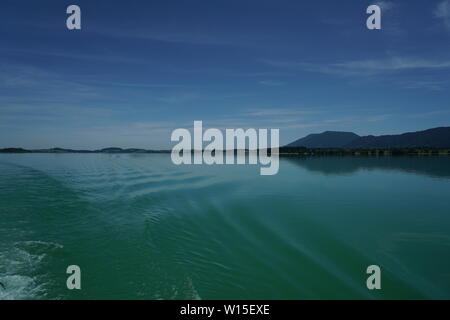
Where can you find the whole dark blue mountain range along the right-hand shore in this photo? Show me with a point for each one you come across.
(431, 138)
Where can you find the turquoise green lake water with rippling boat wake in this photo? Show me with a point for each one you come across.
(140, 227)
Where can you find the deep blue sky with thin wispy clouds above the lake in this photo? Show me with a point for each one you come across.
(139, 69)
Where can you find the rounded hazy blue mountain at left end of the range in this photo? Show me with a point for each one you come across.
(327, 139)
